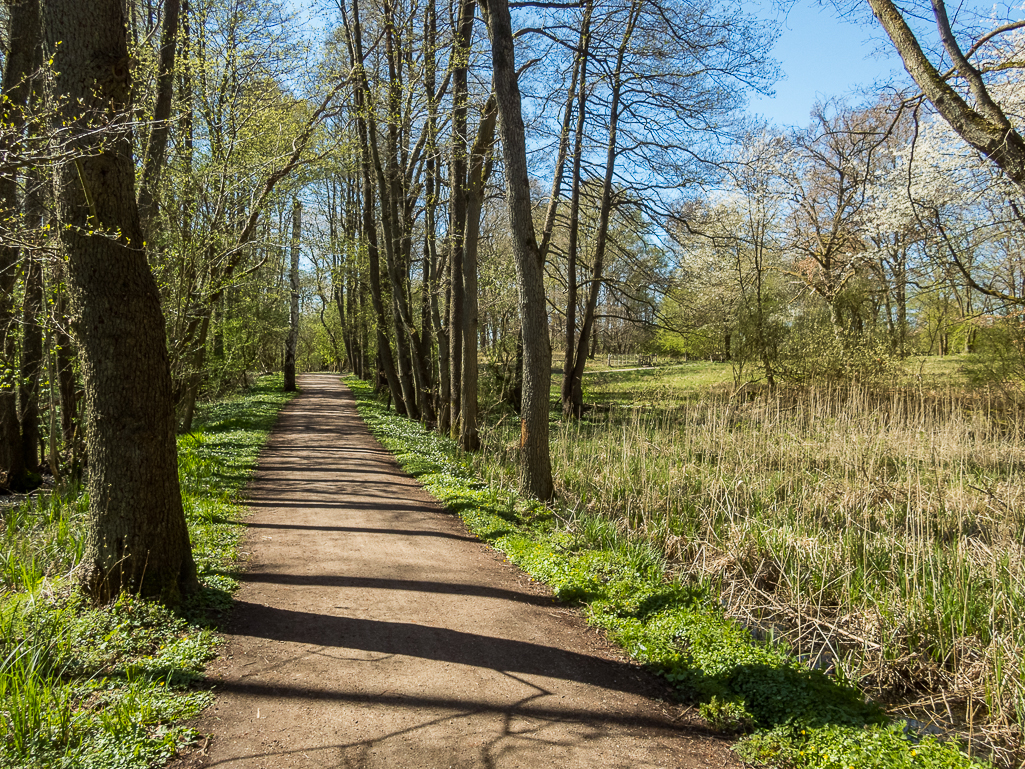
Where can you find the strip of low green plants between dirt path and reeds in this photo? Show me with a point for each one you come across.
(792, 716)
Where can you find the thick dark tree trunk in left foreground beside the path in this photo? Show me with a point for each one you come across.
(138, 539)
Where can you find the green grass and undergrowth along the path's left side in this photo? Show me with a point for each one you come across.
(84, 687)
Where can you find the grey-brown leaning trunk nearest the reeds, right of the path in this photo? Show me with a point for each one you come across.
(536, 459)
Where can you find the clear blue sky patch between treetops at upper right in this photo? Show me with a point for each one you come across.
(822, 57)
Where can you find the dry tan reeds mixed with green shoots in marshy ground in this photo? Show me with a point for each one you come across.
(880, 535)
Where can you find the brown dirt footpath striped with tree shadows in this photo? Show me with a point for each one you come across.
(374, 631)
